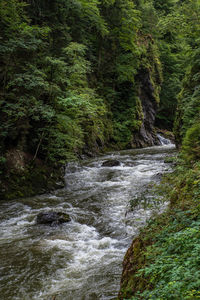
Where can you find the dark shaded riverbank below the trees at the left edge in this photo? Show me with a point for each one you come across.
(24, 176)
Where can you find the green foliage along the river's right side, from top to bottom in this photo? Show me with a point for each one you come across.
(167, 262)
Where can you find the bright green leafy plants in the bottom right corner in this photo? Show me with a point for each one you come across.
(174, 269)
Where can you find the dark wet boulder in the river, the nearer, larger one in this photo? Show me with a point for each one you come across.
(52, 218)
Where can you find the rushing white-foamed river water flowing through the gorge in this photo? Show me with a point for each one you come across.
(81, 259)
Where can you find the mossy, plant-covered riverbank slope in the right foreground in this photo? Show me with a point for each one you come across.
(163, 261)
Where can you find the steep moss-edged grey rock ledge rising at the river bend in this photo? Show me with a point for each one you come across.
(148, 80)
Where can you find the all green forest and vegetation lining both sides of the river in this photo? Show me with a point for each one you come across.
(81, 77)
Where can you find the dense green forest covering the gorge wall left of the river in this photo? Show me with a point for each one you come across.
(81, 77)
